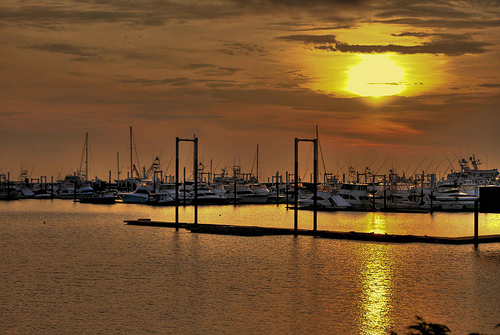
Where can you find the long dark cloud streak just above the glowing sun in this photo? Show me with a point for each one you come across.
(448, 47)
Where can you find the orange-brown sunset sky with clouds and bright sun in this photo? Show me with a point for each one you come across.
(407, 83)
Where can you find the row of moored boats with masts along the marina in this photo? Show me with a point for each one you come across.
(456, 190)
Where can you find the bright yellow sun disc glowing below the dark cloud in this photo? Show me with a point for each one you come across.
(376, 76)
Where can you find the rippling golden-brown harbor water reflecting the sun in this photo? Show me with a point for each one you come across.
(84, 271)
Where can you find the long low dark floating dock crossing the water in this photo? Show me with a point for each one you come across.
(351, 235)
